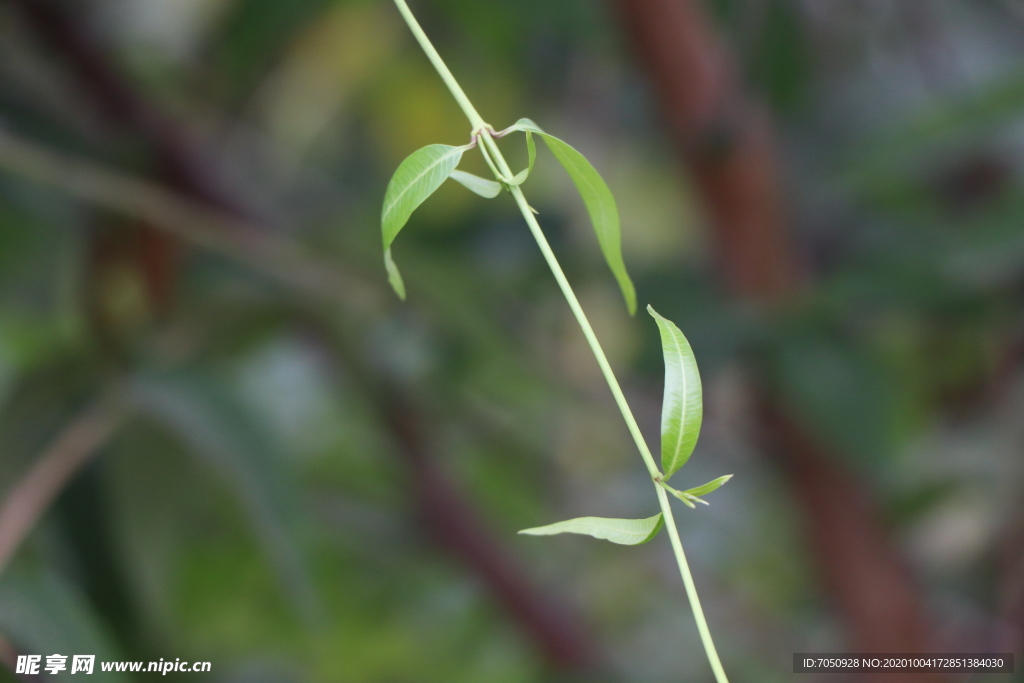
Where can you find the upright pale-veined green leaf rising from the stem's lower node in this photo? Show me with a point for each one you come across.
(682, 408)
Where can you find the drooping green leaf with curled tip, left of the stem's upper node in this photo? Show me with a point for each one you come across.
(417, 179)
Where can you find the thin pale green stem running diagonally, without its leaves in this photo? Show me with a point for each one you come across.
(494, 157)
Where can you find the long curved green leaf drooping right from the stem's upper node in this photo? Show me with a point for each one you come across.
(601, 205)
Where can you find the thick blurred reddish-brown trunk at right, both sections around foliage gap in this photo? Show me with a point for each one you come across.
(728, 146)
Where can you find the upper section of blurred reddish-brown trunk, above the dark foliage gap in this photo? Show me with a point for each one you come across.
(727, 144)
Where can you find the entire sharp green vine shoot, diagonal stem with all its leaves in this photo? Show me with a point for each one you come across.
(425, 170)
